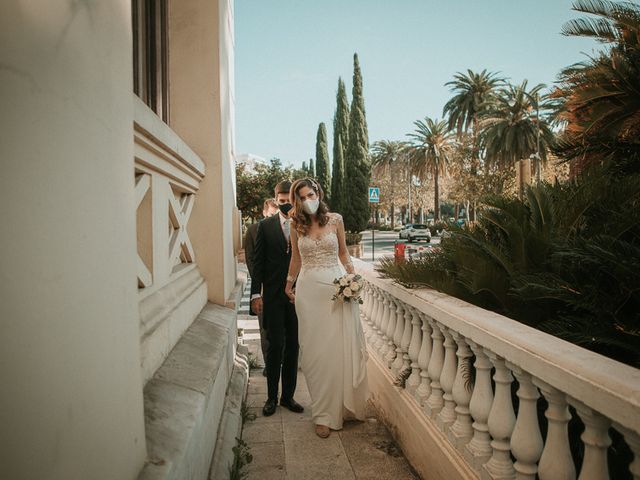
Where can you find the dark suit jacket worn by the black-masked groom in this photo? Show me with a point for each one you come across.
(271, 259)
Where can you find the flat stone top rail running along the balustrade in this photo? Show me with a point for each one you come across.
(605, 385)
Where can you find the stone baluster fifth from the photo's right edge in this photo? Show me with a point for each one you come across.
(501, 422)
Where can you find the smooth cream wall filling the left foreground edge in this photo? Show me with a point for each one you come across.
(71, 395)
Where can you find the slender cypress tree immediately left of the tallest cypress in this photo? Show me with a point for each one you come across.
(340, 141)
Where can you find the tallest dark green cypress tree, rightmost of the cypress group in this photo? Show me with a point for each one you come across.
(357, 167)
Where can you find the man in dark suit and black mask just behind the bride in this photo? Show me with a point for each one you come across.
(270, 266)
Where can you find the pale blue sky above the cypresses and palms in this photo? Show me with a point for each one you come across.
(290, 53)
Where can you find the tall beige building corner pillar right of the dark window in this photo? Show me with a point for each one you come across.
(202, 106)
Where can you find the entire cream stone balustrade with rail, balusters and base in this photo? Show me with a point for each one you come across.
(478, 383)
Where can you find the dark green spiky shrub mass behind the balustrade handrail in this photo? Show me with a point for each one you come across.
(565, 260)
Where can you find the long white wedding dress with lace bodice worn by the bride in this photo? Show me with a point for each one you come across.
(332, 344)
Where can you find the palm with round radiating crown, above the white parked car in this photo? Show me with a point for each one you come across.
(429, 152)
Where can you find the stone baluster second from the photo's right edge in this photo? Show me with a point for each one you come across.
(596, 442)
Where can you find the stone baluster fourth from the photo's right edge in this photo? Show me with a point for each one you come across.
(526, 440)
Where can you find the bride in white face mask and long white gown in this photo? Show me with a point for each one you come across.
(332, 345)
